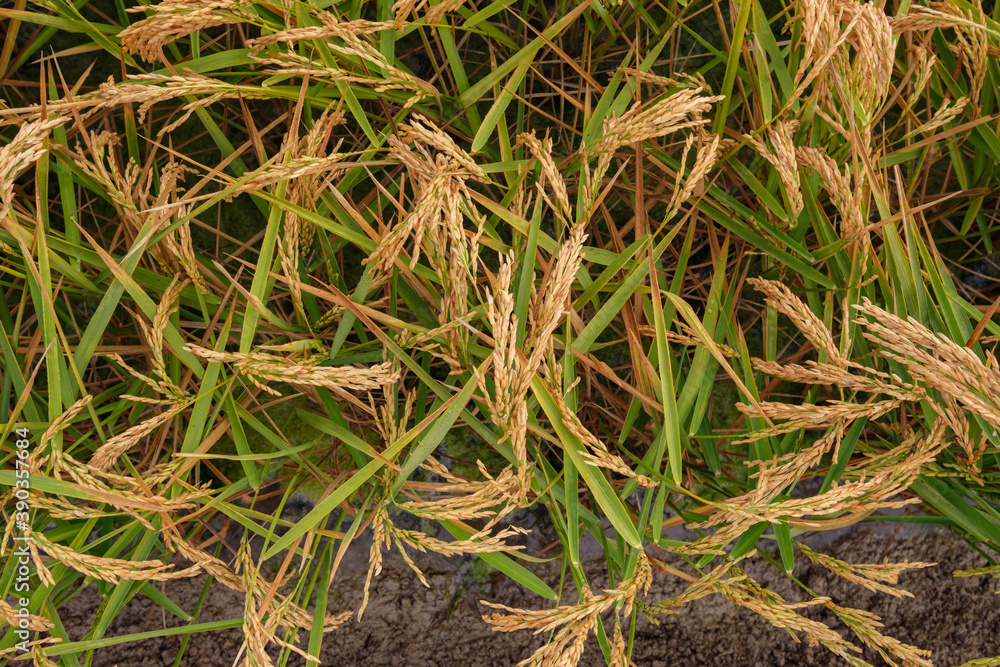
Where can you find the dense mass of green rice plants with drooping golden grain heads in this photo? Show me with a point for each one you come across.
(687, 263)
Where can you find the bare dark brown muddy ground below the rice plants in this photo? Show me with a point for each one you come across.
(407, 624)
